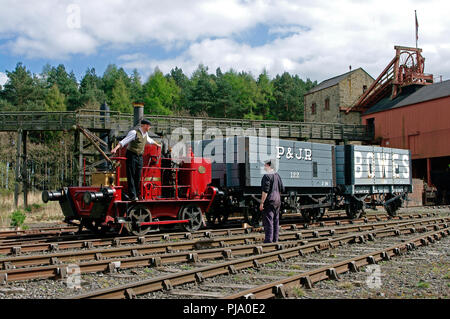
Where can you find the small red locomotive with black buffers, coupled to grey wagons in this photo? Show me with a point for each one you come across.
(171, 194)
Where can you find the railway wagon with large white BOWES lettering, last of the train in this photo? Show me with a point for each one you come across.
(370, 176)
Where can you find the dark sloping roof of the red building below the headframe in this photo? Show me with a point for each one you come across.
(413, 94)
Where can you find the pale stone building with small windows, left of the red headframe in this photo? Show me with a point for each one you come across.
(326, 102)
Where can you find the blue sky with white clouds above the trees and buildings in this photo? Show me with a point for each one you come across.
(314, 39)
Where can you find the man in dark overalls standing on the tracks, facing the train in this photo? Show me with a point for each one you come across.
(271, 186)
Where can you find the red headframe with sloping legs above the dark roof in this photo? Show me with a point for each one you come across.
(406, 68)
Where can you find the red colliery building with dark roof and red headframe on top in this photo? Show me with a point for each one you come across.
(407, 110)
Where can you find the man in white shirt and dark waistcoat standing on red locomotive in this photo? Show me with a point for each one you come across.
(136, 141)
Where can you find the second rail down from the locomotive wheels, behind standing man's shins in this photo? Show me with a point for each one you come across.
(94, 254)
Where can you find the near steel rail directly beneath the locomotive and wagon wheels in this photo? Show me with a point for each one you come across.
(18, 248)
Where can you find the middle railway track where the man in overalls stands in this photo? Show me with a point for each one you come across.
(21, 268)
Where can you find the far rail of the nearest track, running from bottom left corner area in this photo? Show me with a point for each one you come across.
(131, 290)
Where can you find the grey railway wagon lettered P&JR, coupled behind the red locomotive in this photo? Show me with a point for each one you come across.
(307, 171)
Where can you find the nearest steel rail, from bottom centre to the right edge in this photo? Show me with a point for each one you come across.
(280, 289)
